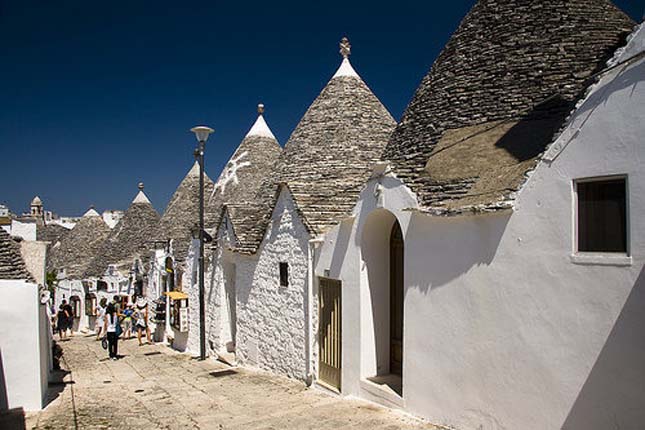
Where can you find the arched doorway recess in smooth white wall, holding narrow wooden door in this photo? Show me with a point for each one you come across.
(382, 301)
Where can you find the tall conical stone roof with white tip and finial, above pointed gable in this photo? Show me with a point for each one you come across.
(330, 154)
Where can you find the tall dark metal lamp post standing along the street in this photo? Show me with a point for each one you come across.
(201, 133)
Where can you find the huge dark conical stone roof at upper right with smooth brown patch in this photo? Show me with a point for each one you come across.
(496, 95)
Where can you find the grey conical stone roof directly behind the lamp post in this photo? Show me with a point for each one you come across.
(182, 213)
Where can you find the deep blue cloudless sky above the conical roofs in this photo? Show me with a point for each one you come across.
(97, 96)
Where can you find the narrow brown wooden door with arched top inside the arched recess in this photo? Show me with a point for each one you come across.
(396, 300)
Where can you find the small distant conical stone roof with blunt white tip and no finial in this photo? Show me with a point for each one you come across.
(80, 245)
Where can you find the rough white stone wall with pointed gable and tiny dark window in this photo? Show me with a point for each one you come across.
(270, 318)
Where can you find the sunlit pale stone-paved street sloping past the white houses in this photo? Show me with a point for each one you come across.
(155, 387)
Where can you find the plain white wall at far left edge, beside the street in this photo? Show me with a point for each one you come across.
(25, 346)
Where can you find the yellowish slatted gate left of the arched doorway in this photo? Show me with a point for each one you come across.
(329, 335)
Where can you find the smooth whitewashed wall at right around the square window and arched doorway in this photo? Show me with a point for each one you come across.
(502, 329)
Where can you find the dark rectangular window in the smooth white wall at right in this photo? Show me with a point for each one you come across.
(602, 215)
